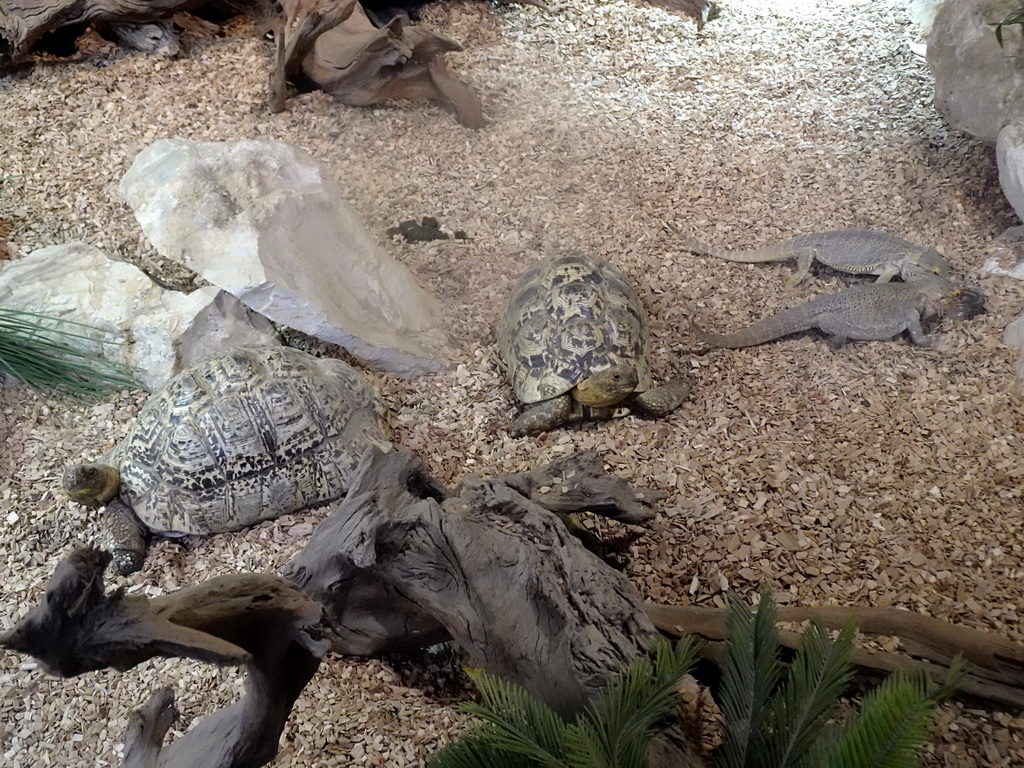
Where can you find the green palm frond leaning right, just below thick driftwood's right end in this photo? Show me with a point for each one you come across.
(617, 730)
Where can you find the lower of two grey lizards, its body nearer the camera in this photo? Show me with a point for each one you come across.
(865, 313)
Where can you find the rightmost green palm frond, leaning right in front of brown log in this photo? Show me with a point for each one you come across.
(894, 722)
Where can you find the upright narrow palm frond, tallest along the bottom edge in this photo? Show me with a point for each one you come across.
(750, 674)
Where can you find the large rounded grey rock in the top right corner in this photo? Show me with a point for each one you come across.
(979, 88)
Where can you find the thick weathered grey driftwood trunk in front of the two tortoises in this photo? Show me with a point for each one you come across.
(402, 561)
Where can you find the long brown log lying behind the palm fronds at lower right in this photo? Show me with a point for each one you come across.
(996, 666)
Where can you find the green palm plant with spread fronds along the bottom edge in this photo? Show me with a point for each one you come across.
(775, 714)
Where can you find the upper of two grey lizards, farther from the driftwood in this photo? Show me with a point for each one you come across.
(852, 251)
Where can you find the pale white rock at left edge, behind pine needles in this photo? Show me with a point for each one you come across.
(77, 282)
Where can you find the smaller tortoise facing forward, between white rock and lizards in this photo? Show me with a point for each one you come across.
(574, 340)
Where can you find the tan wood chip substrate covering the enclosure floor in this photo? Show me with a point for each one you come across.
(880, 475)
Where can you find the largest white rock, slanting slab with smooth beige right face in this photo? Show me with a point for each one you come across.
(267, 223)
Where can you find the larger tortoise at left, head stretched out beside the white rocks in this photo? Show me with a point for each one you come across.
(238, 439)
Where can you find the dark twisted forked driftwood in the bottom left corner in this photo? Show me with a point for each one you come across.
(261, 621)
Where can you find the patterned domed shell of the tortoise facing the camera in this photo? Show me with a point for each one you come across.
(568, 318)
